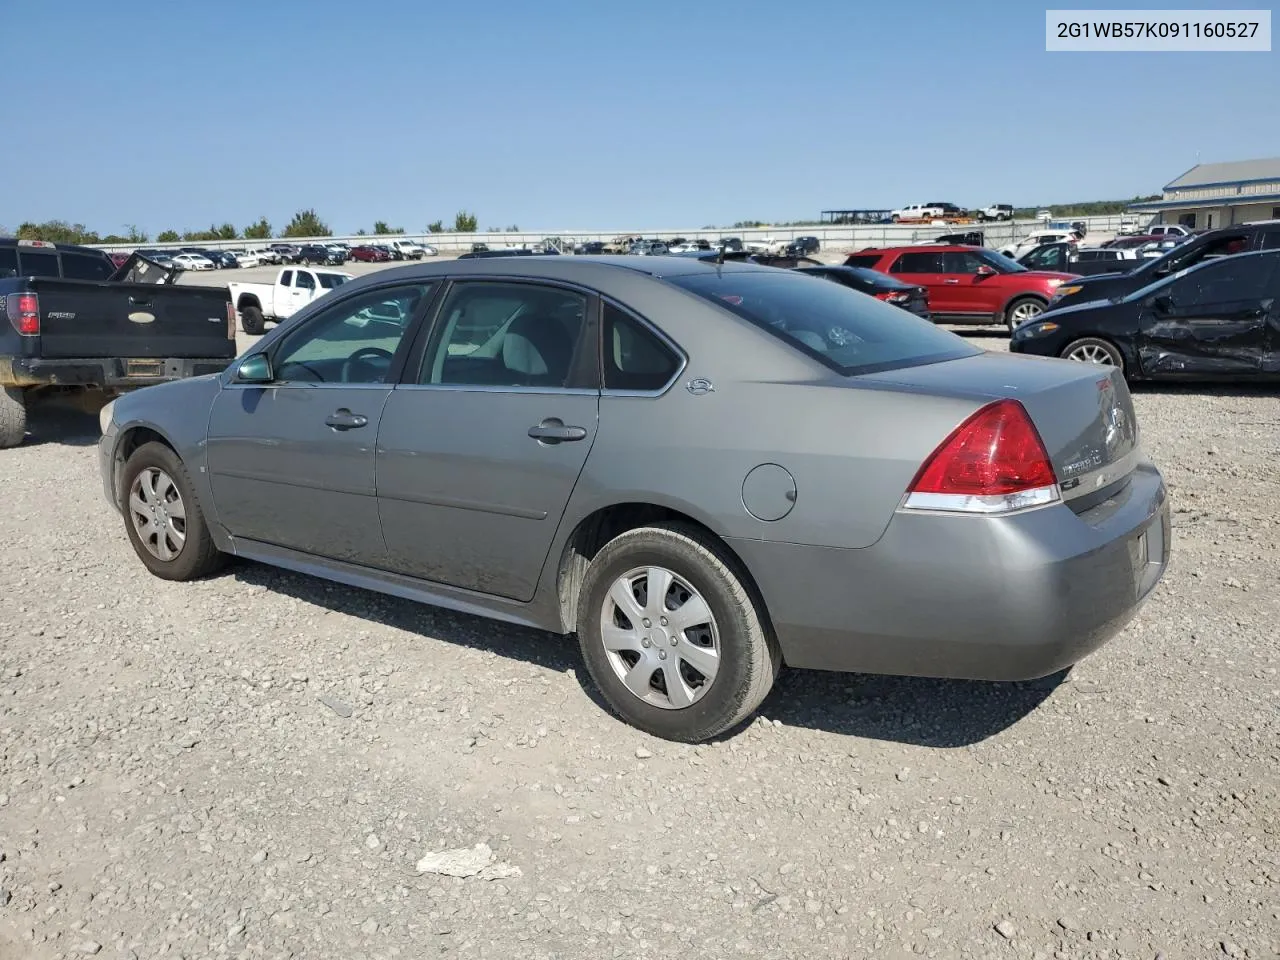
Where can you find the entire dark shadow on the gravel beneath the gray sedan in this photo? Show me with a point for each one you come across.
(945, 714)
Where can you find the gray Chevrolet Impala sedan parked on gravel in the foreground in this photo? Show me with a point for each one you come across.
(703, 470)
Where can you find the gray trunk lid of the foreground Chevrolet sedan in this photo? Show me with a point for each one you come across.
(1084, 413)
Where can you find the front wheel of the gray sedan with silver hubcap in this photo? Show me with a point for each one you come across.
(157, 491)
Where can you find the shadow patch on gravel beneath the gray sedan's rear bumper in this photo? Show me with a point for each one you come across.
(944, 714)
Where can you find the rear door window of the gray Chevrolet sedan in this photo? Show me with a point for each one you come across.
(508, 335)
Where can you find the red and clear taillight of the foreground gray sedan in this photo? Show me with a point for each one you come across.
(994, 463)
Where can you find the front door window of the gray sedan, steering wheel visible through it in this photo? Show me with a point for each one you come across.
(354, 341)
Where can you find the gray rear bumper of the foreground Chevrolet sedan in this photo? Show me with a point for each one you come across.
(1012, 598)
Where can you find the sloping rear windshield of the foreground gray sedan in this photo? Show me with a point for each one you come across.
(848, 331)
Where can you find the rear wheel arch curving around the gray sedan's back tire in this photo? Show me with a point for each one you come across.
(602, 525)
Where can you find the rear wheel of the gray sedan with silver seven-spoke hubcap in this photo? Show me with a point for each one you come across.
(671, 634)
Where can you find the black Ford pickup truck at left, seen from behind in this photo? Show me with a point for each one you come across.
(72, 322)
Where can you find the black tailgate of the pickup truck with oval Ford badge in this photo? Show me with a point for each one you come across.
(144, 321)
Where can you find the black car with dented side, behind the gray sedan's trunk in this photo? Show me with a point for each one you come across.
(1218, 321)
